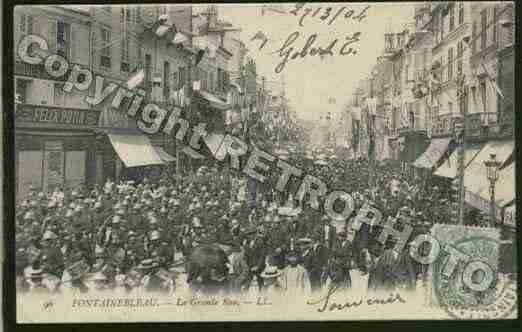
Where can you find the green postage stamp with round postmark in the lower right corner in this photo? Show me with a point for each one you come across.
(470, 286)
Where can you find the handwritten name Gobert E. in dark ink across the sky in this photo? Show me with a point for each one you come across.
(288, 52)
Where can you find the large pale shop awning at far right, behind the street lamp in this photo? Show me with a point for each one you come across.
(475, 175)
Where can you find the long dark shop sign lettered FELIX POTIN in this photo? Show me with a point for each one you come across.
(45, 114)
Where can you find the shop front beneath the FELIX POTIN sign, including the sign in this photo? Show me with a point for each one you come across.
(54, 147)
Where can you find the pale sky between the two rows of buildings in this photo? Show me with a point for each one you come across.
(311, 81)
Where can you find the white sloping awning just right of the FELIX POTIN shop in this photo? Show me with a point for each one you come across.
(134, 150)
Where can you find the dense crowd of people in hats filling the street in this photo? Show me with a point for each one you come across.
(172, 234)
